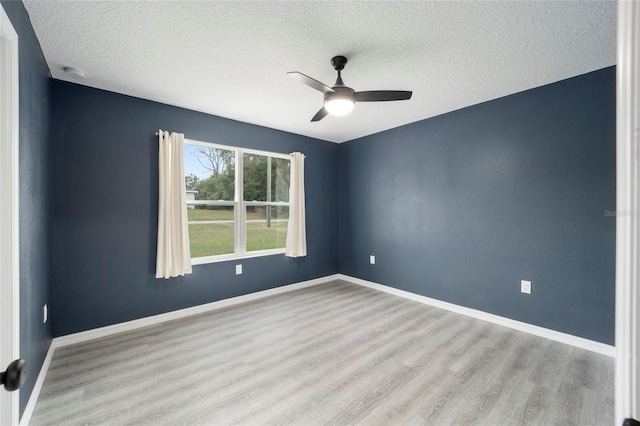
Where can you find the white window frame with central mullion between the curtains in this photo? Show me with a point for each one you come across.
(239, 206)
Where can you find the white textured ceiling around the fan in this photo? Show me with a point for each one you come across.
(231, 58)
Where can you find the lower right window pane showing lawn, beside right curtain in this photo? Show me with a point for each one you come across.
(266, 227)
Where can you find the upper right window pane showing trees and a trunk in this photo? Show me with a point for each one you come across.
(257, 171)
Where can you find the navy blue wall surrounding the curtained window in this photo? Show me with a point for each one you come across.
(105, 167)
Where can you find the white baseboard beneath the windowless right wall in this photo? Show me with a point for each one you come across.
(496, 319)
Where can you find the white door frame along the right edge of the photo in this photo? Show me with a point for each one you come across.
(627, 388)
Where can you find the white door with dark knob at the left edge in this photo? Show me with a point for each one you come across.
(9, 218)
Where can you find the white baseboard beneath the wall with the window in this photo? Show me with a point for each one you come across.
(97, 333)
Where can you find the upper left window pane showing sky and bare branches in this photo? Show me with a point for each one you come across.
(209, 173)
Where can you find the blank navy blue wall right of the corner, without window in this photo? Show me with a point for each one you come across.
(463, 206)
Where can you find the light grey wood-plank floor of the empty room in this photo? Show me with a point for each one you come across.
(335, 353)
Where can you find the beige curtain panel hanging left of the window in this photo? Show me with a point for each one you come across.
(174, 256)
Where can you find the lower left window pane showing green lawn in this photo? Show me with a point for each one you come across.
(210, 230)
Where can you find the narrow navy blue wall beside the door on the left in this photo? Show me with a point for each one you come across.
(35, 198)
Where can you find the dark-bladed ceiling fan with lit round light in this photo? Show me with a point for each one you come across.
(340, 99)
